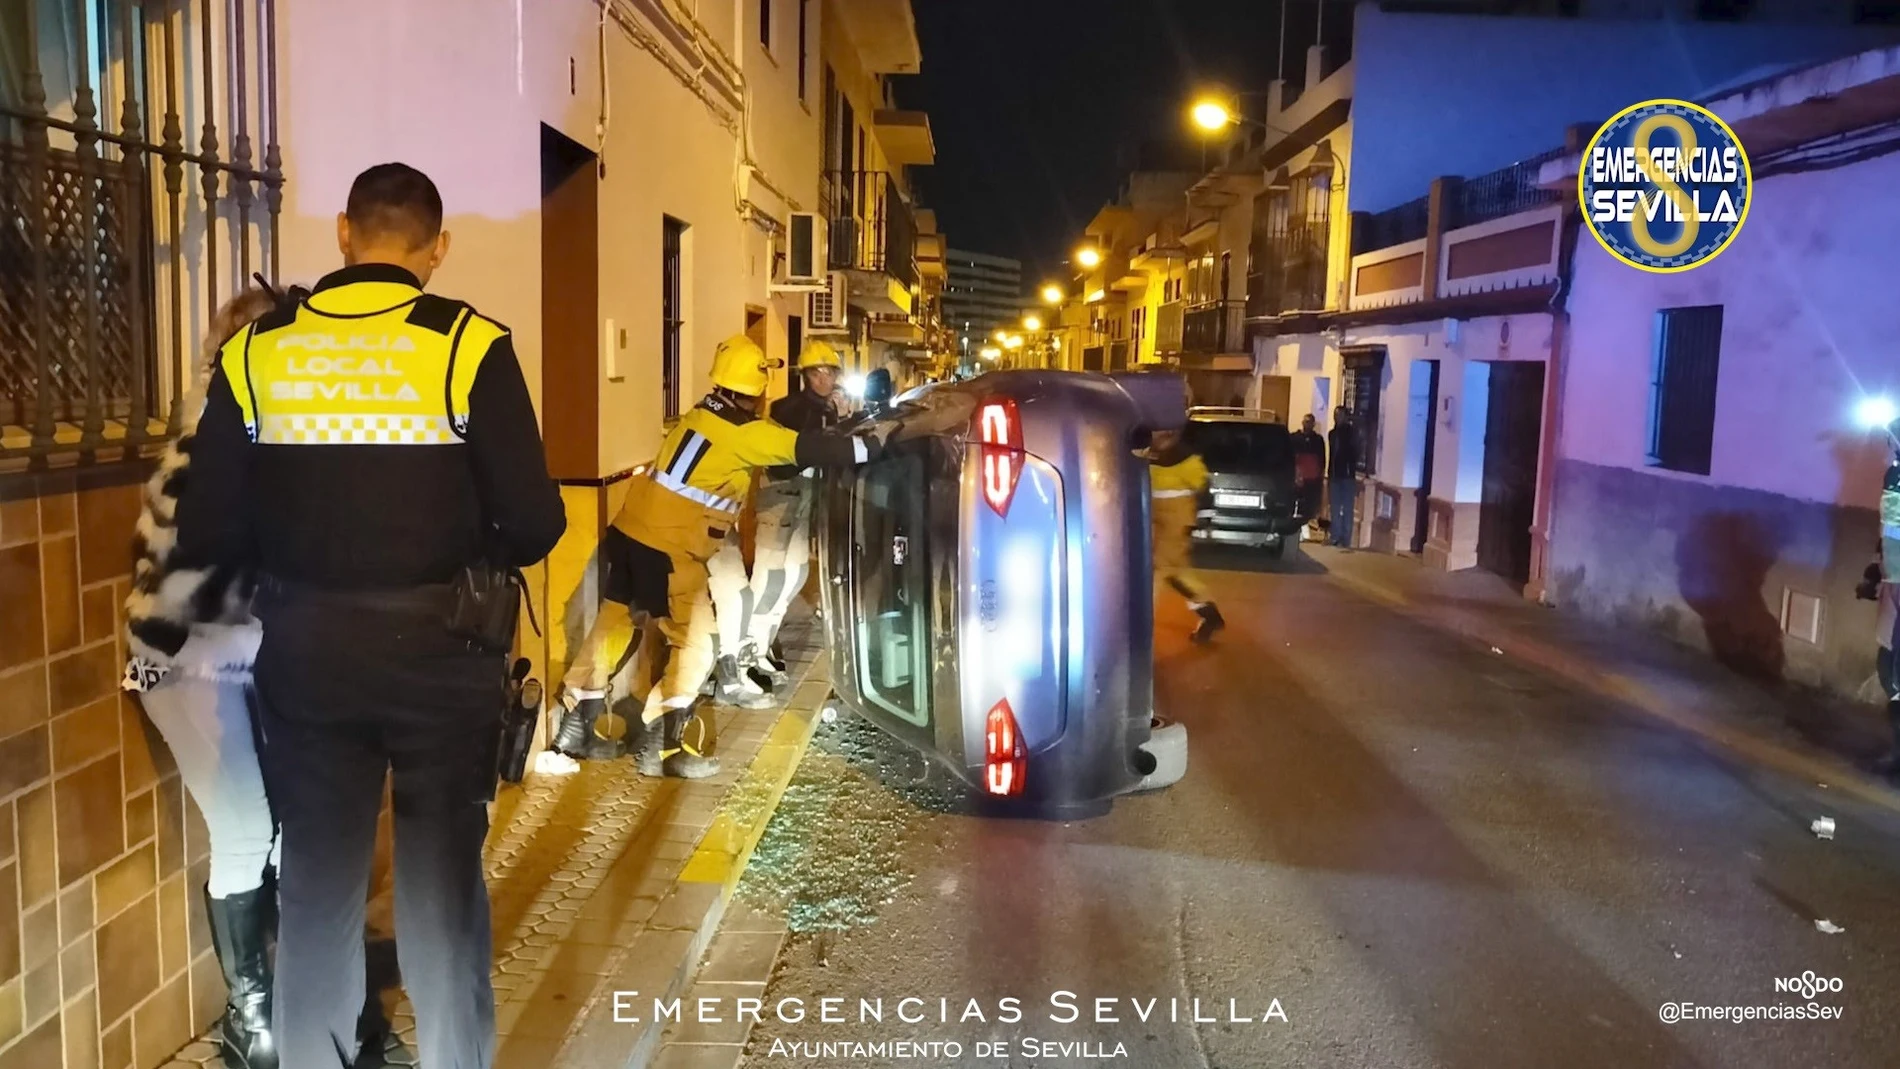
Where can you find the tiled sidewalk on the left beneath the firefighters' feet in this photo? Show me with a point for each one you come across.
(609, 882)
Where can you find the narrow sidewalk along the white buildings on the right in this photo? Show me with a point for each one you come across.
(1791, 730)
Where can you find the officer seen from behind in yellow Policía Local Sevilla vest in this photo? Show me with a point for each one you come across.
(364, 447)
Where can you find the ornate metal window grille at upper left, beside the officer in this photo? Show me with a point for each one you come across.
(111, 229)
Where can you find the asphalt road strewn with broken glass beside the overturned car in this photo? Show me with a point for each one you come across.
(1399, 848)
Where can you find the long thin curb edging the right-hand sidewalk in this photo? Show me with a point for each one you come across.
(1625, 690)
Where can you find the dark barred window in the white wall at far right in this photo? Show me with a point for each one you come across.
(1682, 388)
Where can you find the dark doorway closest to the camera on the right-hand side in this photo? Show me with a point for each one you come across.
(1513, 430)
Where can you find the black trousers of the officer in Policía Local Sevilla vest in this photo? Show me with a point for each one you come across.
(339, 711)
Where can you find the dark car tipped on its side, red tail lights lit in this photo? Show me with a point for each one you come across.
(989, 590)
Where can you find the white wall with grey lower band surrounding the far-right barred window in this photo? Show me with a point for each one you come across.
(1787, 512)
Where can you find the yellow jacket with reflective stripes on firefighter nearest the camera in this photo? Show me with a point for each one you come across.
(693, 495)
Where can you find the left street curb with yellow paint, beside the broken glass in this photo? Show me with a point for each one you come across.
(683, 926)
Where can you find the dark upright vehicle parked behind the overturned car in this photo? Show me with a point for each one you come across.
(1251, 497)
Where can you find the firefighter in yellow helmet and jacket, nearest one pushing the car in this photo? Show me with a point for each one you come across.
(655, 555)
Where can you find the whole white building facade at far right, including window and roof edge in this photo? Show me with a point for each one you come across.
(1711, 478)
